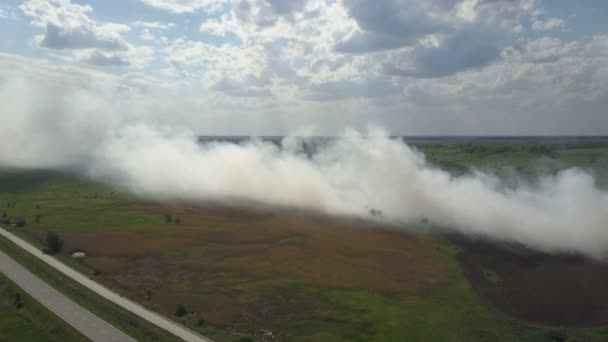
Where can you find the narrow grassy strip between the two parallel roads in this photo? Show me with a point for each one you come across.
(113, 314)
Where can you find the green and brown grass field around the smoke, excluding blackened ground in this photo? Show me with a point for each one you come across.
(270, 275)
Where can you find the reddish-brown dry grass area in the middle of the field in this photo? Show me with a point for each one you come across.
(195, 262)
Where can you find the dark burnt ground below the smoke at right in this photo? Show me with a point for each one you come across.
(554, 290)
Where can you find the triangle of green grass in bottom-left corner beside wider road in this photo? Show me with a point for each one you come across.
(31, 321)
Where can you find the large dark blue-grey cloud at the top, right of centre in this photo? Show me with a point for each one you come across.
(433, 38)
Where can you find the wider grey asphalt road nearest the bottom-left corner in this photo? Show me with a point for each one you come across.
(78, 317)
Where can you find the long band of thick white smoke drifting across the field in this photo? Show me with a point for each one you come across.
(349, 176)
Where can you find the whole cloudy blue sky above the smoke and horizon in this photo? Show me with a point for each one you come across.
(272, 67)
